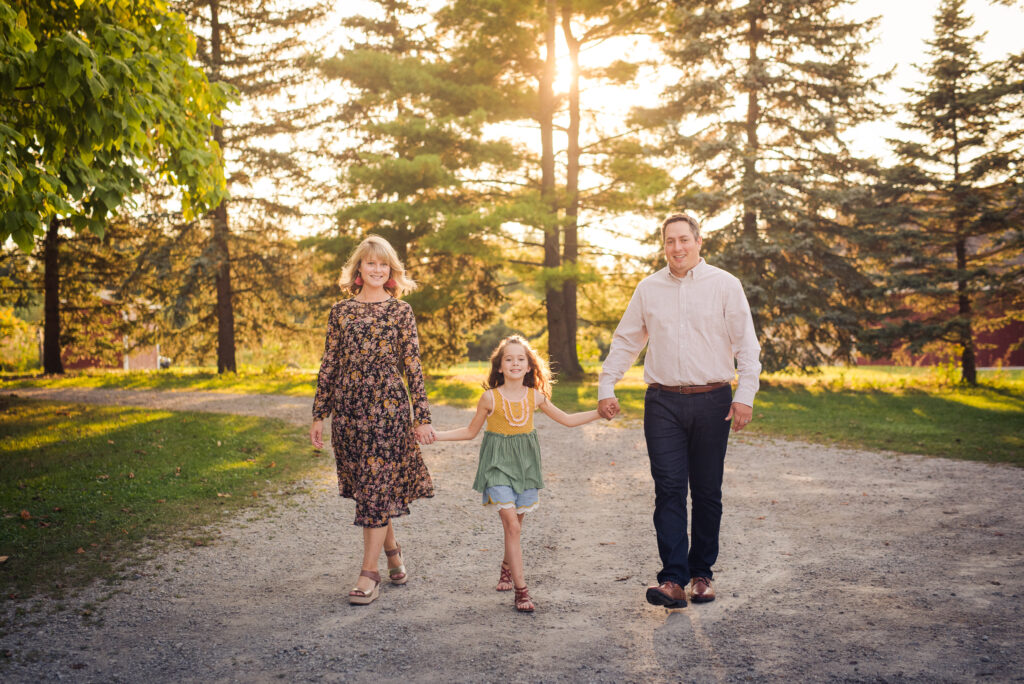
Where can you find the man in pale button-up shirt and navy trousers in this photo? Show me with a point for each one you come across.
(696, 321)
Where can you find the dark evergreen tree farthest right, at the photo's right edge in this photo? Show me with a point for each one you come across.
(951, 213)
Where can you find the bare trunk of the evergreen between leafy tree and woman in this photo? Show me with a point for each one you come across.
(226, 311)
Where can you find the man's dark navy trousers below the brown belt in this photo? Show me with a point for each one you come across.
(687, 438)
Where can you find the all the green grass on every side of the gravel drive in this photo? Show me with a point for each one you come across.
(86, 488)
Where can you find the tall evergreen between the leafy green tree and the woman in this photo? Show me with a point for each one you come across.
(263, 50)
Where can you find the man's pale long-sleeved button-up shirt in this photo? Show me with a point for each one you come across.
(695, 326)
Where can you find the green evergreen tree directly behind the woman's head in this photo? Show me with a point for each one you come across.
(413, 132)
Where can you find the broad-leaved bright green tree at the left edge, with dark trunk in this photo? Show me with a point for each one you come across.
(97, 97)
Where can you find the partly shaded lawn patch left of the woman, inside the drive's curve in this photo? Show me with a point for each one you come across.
(84, 488)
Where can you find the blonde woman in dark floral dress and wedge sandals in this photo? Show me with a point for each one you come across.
(371, 343)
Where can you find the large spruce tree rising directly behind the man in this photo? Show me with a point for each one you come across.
(767, 90)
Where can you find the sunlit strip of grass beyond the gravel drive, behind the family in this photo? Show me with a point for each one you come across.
(908, 410)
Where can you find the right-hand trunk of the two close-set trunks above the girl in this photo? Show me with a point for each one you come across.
(571, 250)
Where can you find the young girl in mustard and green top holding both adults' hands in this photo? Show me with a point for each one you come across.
(509, 471)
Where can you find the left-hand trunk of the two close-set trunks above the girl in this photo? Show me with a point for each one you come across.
(554, 301)
